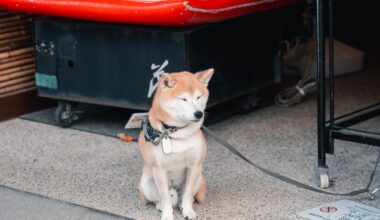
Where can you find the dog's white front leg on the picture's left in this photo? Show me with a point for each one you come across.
(161, 180)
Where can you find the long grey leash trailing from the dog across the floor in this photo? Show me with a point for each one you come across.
(287, 179)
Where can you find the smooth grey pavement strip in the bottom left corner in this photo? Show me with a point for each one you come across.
(19, 205)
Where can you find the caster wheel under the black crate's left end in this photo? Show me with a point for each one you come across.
(64, 114)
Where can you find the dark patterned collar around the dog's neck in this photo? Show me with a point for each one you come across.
(155, 136)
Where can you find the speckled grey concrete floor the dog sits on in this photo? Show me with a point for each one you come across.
(103, 173)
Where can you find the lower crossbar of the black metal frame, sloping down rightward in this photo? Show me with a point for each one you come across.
(355, 135)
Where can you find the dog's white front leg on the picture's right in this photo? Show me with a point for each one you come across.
(192, 179)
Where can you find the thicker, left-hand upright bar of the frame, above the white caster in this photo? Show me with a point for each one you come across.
(320, 85)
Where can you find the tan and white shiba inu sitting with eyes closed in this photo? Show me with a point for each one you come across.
(173, 146)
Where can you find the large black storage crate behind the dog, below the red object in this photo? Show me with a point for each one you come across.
(114, 64)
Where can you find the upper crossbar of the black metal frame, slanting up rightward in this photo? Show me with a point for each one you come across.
(358, 117)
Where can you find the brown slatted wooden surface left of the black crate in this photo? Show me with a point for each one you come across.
(18, 93)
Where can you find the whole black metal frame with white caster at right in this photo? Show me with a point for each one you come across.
(336, 128)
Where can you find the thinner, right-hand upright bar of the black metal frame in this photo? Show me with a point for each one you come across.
(330, 147)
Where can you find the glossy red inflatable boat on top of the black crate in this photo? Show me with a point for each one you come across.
(146, 12)
